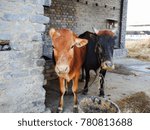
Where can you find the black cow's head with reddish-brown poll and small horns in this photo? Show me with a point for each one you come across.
(105, 47)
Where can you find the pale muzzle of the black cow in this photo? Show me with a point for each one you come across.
(108, 65)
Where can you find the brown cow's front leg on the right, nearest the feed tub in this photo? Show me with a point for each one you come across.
(75, 90)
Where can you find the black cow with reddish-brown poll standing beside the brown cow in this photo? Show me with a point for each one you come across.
(99, 55)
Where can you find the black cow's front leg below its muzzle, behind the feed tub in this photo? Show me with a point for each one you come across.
(101, 89)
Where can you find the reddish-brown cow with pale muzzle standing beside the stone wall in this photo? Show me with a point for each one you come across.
(69, 54)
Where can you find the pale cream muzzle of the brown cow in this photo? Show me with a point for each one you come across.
(62, 69)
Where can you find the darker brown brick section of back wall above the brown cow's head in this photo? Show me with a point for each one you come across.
(62, 14)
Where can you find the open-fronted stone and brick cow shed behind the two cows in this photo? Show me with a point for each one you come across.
(24, 41)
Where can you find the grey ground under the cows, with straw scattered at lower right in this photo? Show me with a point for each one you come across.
(128, 86)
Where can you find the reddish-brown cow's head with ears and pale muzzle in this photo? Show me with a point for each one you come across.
(64, 42)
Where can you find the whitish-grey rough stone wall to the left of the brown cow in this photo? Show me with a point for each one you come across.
(21, 67)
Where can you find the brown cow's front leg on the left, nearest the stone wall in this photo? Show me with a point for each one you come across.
(62, 92)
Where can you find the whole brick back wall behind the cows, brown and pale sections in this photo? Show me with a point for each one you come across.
(79, 16)
